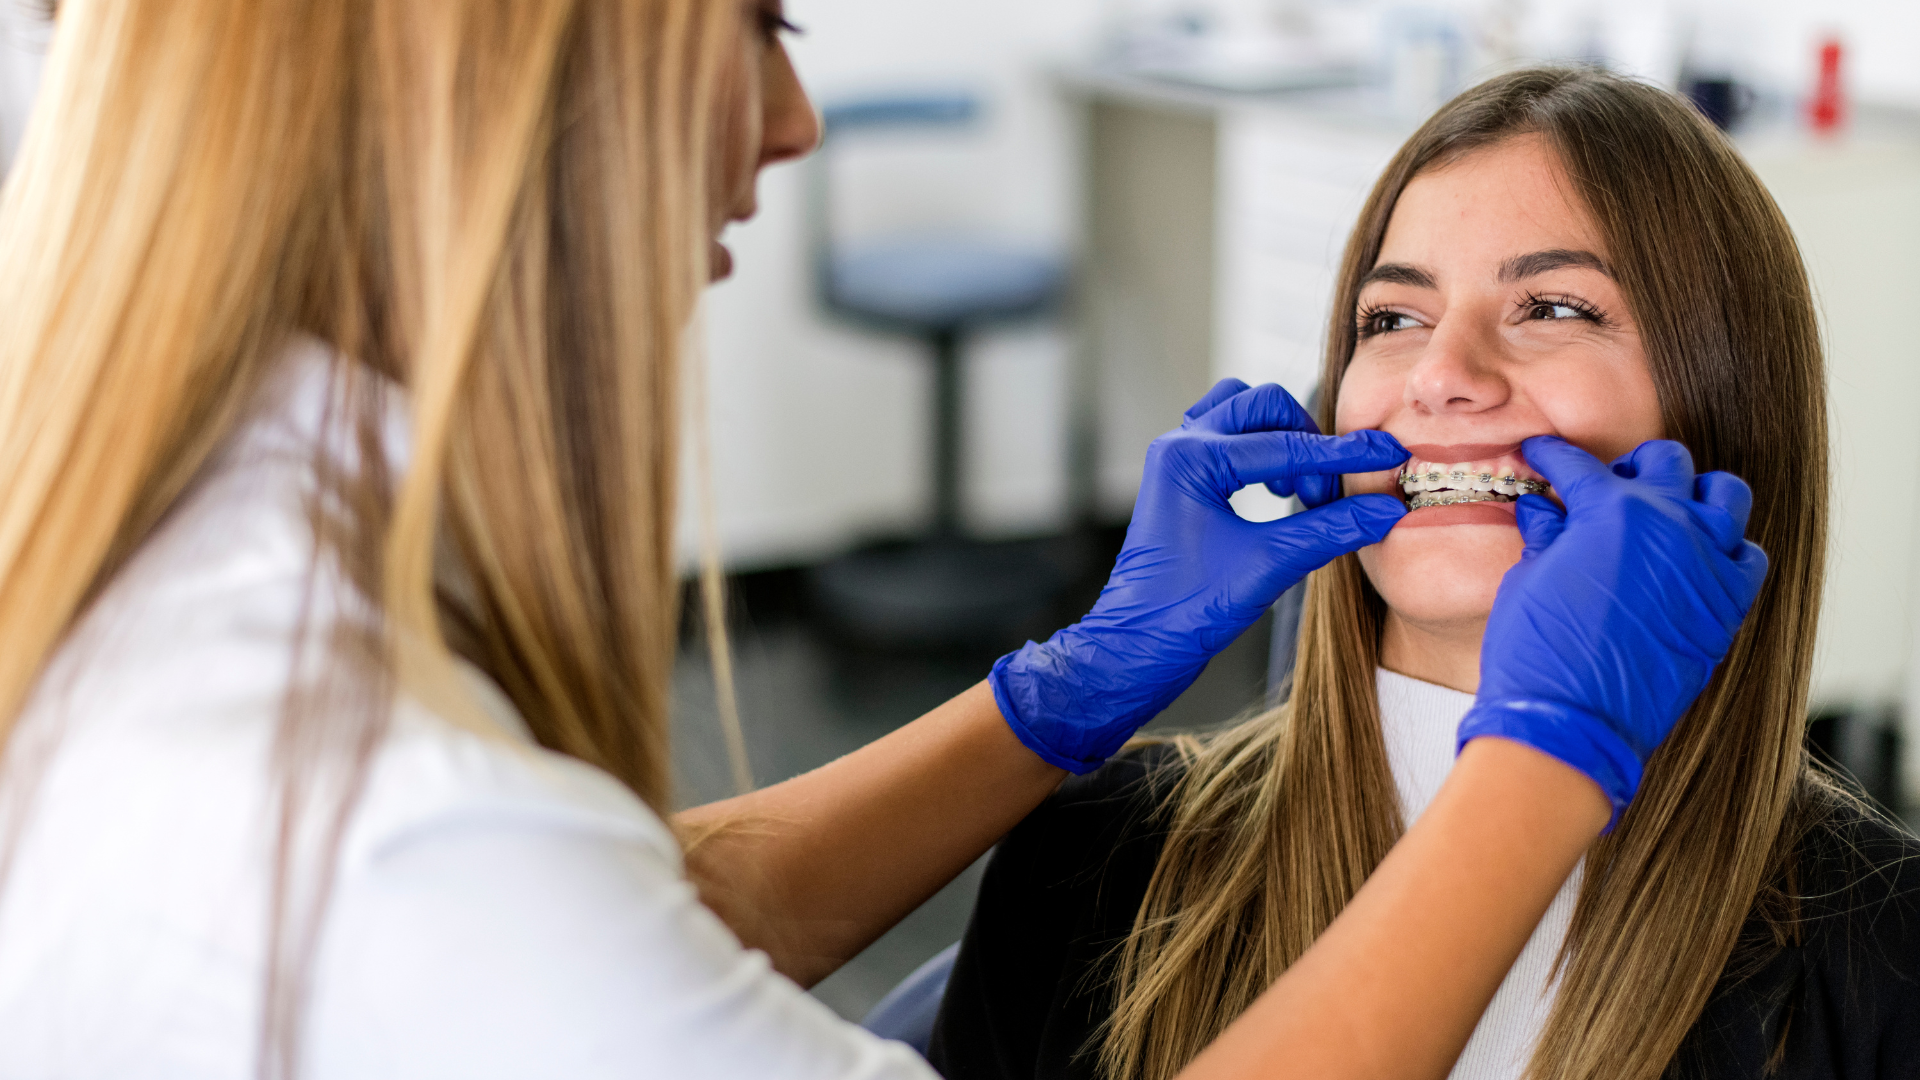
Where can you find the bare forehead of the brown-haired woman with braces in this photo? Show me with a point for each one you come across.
(1489, 207)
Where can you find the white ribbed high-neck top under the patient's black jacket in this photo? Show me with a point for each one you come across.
(1420, 724)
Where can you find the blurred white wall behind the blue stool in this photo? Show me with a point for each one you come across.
(819, 431)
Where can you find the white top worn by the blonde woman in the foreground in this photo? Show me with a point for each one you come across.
(500, 912)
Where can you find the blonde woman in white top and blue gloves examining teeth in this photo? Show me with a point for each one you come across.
(337, 418)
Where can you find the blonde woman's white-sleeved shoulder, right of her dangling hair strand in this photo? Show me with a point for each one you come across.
(489, 881)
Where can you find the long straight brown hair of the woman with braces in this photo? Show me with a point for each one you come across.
(1278, 823)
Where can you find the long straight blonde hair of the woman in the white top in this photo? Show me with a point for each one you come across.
(500, 205)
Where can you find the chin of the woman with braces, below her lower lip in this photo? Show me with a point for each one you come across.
(1443, 577)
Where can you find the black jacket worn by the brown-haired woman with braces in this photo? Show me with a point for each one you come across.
(1030, 985)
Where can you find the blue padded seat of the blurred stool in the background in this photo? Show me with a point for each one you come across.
(938, 283)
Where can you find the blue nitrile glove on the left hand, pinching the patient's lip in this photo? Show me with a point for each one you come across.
(1193, 576)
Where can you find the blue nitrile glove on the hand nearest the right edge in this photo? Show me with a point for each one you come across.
(1620, 608)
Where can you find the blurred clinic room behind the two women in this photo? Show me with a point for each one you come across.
(1038, 232)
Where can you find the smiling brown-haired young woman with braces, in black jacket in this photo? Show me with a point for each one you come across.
(1556, 253)
